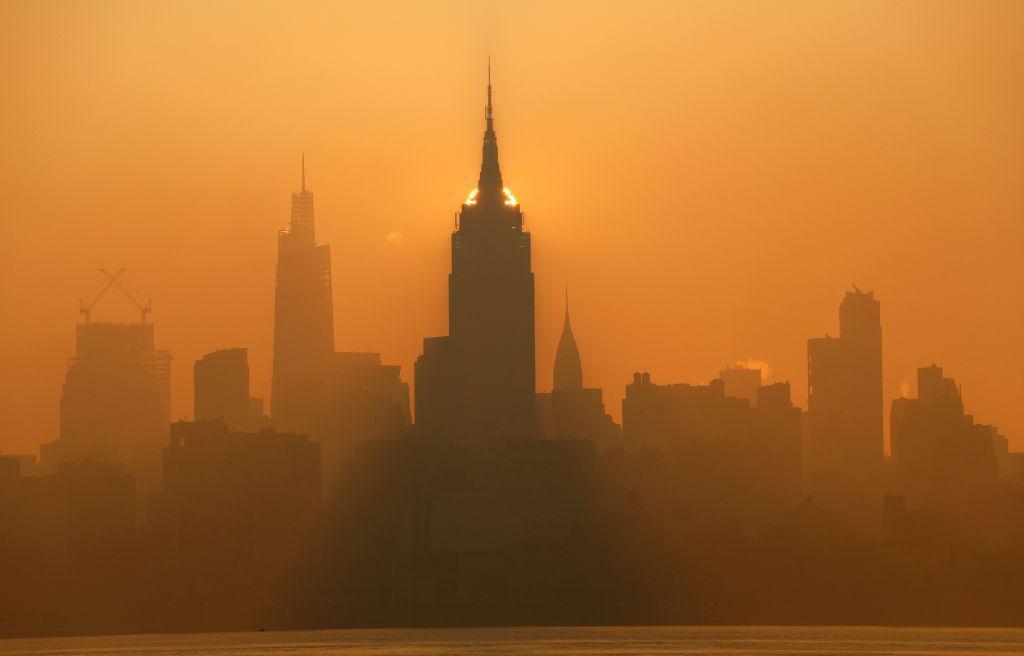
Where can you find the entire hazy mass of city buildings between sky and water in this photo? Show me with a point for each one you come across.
(713, 503)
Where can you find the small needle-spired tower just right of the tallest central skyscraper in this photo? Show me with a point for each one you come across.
(571, 411)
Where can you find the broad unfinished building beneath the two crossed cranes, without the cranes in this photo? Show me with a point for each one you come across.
(116, 401)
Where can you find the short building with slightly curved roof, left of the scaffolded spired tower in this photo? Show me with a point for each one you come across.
(222, 381)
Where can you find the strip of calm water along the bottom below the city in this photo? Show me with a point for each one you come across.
(543, 642)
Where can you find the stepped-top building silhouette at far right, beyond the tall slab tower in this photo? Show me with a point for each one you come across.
(943, 458)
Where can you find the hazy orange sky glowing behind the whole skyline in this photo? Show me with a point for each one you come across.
(709, 179)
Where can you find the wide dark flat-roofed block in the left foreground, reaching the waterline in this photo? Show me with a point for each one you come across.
(236, 511)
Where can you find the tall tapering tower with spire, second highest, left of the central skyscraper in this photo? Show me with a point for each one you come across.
(304, 323)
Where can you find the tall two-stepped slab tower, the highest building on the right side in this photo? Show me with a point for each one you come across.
(845, 413)
